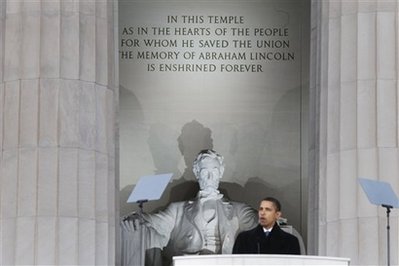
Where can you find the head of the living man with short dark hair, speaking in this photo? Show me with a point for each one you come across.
(269, 211)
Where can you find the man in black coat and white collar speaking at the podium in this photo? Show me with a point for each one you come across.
(267, 237)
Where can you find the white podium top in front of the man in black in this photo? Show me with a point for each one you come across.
(210, 260)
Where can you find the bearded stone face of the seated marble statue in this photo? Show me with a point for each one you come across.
(209, 174)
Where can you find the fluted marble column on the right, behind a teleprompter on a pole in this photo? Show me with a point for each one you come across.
(355, 73)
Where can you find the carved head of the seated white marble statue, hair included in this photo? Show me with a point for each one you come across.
(208, 168)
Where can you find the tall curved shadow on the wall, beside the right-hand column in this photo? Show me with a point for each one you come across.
(284, 157)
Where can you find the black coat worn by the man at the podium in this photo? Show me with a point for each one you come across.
(255, 241)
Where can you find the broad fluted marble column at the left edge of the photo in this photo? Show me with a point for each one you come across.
(58, 95)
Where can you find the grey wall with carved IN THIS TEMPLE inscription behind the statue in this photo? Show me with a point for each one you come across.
(253, 118)
